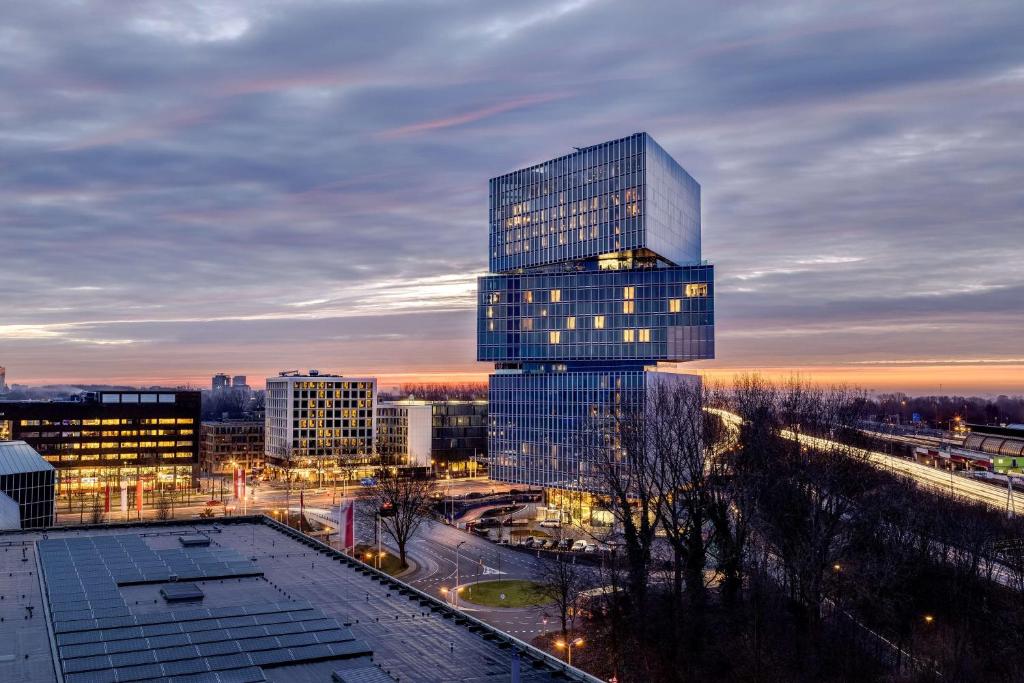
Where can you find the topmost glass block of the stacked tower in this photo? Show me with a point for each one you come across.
(622, 196)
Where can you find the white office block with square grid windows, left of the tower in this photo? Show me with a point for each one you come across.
(319, 421)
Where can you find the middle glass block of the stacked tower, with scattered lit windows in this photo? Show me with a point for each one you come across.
(639, 315)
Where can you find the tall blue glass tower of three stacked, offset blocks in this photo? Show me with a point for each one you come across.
(599, 279)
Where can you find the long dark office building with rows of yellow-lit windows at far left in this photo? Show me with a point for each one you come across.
(109, 438)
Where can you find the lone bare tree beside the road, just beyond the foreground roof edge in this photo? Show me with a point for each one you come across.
(404, 504)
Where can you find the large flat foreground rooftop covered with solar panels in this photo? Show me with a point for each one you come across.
(264, 604)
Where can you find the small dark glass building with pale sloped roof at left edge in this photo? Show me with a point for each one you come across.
(27, 488)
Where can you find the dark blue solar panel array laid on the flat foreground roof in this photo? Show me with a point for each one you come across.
(101, 642)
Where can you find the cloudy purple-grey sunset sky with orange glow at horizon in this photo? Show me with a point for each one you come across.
(194, 188)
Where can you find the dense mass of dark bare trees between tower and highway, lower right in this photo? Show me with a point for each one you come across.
(760, 544)
